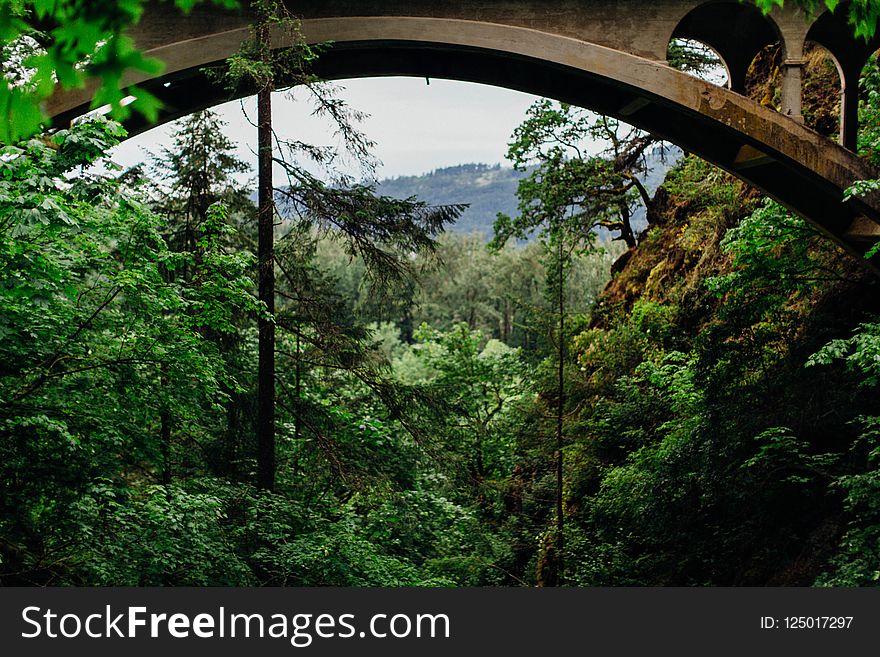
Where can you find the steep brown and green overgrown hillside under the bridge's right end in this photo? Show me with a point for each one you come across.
(717, 442)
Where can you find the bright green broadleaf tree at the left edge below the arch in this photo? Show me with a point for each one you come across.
(87, 312)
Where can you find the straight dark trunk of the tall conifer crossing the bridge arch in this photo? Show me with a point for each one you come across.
(266, 260)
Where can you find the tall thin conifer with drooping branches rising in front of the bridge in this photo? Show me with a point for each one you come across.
(383, 231)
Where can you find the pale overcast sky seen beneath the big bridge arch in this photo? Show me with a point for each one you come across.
(417, 126)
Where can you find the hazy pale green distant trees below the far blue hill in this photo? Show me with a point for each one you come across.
(500, 293)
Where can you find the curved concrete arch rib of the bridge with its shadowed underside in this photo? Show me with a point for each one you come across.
(800, 169)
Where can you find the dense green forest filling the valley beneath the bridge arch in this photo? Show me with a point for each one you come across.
(693, 402)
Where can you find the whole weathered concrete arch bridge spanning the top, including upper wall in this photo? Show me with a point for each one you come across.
(605, 55)
